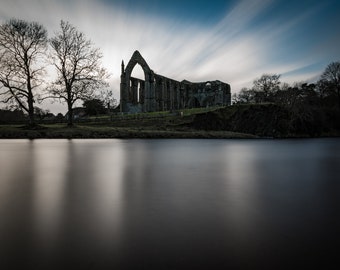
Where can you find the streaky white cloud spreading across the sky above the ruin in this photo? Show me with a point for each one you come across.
(228, 51)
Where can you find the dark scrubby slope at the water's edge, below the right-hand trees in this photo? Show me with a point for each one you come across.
(270, 120)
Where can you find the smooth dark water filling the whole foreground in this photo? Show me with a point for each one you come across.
(169, 204)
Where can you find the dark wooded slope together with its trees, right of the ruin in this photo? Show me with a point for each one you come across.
(273, 109)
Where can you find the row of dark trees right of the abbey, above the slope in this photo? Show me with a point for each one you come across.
(268, 88)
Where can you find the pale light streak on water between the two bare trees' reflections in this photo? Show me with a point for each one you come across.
(49, 161)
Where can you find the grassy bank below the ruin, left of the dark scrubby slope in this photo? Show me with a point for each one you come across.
(144, 125)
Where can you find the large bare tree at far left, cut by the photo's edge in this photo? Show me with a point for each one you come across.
(22, 48)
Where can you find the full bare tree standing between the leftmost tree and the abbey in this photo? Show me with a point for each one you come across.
(78, 66)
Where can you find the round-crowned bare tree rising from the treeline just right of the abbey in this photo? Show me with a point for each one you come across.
(265, 87)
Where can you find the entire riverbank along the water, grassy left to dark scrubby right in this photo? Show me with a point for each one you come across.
(239, 122)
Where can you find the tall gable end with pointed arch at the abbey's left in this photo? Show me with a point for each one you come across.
(129, 86)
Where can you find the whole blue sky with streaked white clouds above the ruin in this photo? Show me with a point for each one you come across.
(232, 41)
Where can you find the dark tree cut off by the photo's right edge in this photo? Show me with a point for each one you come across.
(330, 80)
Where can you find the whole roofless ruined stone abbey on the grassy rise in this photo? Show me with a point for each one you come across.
(159, 93)
